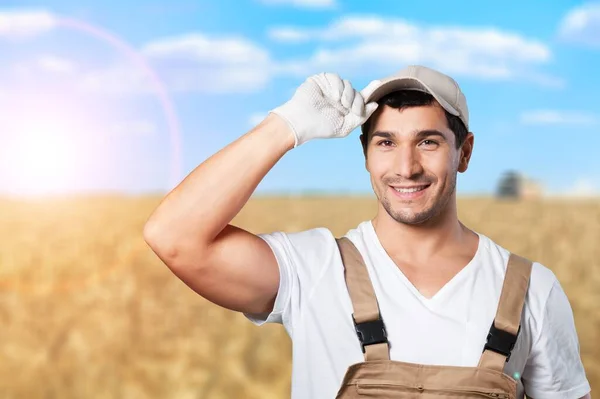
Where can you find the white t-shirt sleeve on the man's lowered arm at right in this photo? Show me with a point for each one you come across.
(554, 369)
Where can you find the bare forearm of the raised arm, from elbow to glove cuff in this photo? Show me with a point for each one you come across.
(206, 201)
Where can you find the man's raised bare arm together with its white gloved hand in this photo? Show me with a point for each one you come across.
(190, 230)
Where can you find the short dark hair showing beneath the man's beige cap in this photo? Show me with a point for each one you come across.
(412, 98)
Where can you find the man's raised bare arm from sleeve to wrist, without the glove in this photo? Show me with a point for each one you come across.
(190, 231)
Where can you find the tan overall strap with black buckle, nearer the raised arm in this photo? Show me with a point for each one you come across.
(367, 319)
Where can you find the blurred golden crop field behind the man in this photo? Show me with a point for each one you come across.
(88, 311)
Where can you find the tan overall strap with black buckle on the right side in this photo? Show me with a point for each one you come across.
(507, 323)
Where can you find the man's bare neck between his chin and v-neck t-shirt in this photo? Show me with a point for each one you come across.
(421, 242)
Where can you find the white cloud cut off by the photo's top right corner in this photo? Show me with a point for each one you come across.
(582, 25)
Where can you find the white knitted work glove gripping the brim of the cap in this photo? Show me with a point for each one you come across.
(325, 106)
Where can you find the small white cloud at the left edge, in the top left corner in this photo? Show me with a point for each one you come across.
(26, 23)
